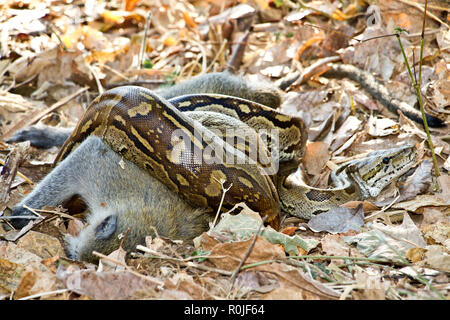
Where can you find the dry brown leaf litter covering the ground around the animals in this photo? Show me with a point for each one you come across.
(398, 247)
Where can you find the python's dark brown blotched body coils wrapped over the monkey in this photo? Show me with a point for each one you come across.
(151, 132)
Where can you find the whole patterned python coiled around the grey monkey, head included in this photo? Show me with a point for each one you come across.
(175, 141)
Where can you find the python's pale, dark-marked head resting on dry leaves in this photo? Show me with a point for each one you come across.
(373, 173)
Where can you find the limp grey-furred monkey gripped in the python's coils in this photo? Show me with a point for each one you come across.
(121, 196)
